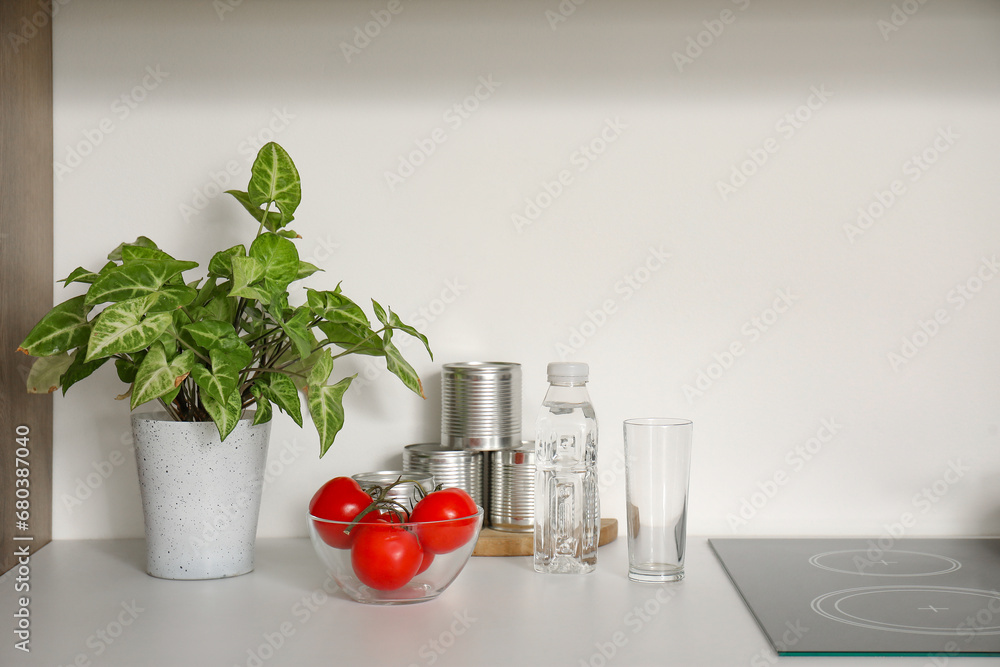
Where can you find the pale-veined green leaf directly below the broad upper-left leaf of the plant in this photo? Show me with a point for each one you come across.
(123, 327)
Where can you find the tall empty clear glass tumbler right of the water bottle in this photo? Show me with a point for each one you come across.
(657, 470)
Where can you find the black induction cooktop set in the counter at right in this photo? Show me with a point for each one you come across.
(870, 596)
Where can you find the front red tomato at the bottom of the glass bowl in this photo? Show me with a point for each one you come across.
(385, 557)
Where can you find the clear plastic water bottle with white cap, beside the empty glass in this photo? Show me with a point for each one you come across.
(567, 507)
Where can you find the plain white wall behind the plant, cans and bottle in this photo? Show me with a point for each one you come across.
(932, 86)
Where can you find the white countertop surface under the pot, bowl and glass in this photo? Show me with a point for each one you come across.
(92, 604)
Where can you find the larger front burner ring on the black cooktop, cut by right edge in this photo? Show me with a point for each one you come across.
(924, 610)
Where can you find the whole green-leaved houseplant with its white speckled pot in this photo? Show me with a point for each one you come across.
(217, 354)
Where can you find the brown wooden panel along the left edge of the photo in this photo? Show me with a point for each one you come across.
(25, 262)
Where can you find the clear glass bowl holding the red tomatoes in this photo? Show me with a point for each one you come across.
(359, 570)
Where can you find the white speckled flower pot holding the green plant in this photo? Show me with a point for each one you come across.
(200, 496)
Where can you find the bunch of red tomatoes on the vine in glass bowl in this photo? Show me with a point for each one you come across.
(388, 547)
